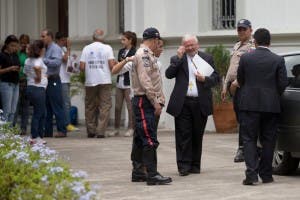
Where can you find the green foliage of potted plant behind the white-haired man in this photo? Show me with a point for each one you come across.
(221, 58)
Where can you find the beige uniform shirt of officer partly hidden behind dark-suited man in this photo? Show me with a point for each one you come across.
(238, 50)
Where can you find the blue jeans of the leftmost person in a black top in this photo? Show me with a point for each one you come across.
(9, 98)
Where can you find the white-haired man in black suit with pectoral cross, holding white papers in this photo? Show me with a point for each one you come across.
(190, 103)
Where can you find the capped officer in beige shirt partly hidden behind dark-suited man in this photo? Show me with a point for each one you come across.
(245, 44)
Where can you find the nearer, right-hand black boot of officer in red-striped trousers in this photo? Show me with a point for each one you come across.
(153, 177)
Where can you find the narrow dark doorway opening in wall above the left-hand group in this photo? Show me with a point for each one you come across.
(63, 16)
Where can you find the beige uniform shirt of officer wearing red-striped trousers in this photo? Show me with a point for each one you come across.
(146, 77)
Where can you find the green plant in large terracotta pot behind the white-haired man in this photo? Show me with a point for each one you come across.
(223, 113)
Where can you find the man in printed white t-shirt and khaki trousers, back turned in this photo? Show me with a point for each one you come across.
(96, 62)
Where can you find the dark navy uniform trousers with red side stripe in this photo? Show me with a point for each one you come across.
(145, 137)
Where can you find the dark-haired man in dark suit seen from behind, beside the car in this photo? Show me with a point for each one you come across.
(262, 78)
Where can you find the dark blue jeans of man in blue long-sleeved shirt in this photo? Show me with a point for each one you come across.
(54, 105)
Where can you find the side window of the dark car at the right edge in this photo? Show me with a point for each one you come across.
(292, 62)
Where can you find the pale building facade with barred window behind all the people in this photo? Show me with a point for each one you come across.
(213, 21)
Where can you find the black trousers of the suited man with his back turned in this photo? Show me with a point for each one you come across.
(251, 123)
